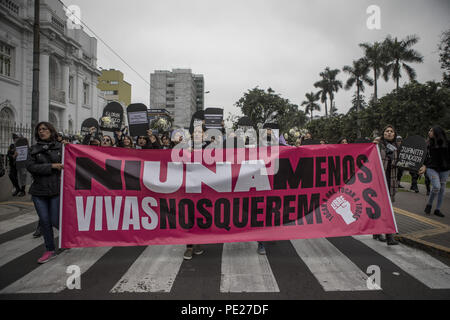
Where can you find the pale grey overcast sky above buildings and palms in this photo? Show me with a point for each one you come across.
(238, 45)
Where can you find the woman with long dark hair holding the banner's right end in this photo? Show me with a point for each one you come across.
(389, 155)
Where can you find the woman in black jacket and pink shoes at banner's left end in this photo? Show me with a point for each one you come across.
(44, 163)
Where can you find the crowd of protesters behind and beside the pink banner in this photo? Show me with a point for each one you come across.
(45, 165)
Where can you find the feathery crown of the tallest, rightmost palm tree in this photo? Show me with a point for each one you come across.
(399, 53)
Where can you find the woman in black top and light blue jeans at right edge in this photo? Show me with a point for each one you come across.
(437, 166)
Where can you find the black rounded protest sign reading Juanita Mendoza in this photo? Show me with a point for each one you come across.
(412, 153)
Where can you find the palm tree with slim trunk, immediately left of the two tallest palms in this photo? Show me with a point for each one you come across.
(358, 75)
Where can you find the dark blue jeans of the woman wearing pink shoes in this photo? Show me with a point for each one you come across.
(47, 209)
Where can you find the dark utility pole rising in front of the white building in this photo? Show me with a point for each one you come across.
(36, 53)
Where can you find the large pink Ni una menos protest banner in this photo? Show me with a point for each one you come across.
(127, 197)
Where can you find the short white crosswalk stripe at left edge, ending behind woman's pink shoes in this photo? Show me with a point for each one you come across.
(13, 249)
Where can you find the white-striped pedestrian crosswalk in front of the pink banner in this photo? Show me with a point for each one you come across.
(158, 269)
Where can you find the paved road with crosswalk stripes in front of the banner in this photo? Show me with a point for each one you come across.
(334, 268)
